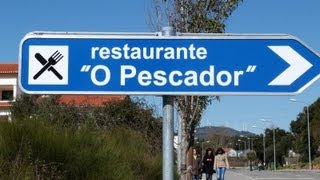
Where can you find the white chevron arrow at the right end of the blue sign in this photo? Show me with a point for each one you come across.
(298, 65)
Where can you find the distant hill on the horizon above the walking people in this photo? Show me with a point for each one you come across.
(208, 131)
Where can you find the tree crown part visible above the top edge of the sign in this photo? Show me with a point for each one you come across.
(202, 16)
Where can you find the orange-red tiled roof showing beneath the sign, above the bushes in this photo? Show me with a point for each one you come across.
(89, 100)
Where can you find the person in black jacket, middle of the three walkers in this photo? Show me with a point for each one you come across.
(207, 163)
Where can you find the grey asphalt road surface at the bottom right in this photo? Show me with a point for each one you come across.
(241, 174)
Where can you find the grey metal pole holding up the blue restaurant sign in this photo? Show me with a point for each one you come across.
(167, 127)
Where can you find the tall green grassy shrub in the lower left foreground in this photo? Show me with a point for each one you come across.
(36, 149)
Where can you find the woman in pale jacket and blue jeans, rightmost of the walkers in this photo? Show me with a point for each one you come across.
(221, 163)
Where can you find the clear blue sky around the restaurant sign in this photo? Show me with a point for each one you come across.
(295, 17)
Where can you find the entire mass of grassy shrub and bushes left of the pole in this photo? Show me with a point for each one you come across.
(50, 140)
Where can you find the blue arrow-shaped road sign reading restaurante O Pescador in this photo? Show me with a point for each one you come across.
(204, 64)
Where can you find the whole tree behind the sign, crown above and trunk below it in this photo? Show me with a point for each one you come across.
(191, 16)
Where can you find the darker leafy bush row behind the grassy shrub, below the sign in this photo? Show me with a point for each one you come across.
(135, 115)
